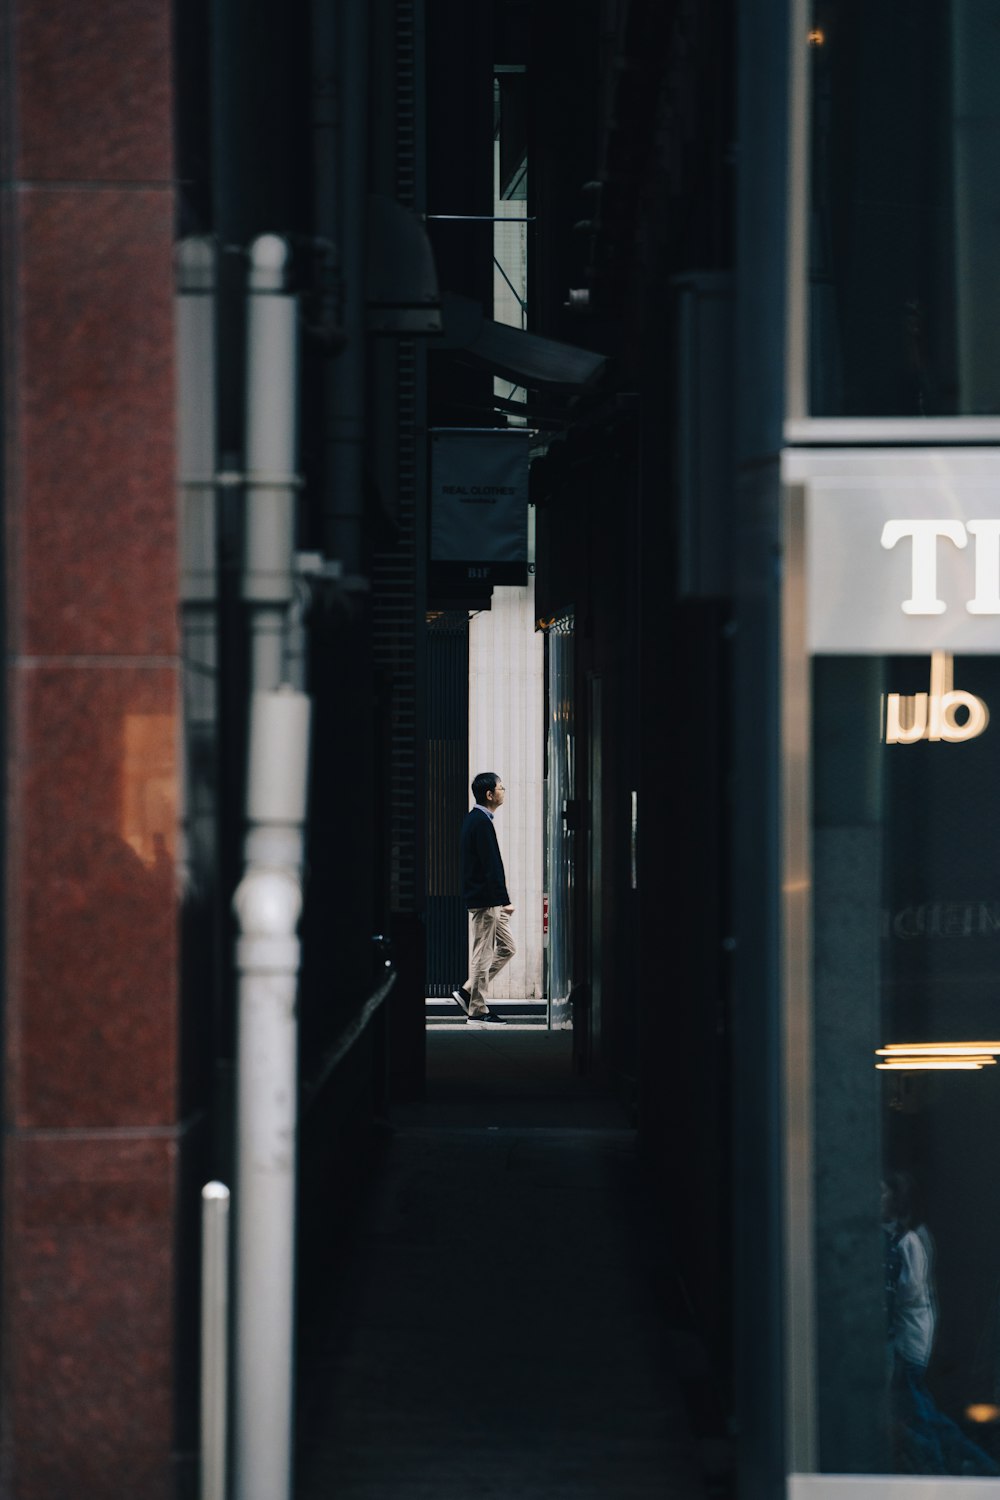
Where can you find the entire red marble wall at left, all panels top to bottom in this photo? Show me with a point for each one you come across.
(94, 1138)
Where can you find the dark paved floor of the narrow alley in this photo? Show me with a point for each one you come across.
(500, 1327)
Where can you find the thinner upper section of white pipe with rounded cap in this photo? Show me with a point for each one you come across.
(272, 397)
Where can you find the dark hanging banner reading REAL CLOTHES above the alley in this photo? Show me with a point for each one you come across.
(479, 506)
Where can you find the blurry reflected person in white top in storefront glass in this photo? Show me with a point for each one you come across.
(924, 1441)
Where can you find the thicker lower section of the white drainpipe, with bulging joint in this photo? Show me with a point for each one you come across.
(269, 905)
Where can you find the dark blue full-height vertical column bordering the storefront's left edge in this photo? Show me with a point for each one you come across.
(768, 32)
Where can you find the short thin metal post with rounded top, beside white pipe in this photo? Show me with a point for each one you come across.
(215, 1336)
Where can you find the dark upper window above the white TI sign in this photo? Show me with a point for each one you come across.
(903, 230)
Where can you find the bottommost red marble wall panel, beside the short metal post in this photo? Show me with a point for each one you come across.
(89, 1315)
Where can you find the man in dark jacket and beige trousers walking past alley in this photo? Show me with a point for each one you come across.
(485, 893)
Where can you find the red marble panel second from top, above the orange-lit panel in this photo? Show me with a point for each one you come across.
(94, 538)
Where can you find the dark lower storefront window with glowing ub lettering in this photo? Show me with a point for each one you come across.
(906, 974)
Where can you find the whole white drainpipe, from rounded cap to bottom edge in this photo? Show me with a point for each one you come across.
(269, 902)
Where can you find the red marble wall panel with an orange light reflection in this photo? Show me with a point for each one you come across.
(92, 910)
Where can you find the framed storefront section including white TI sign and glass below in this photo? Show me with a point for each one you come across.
(891, 646)
